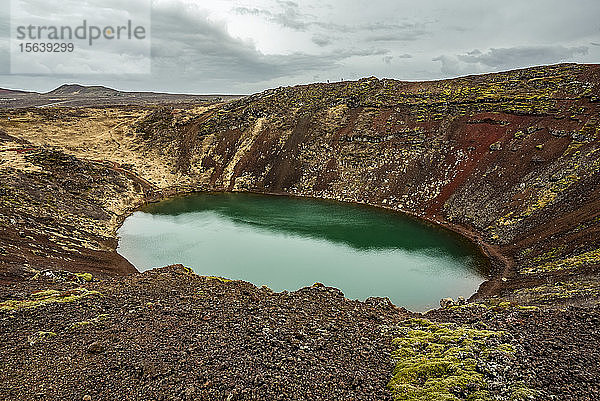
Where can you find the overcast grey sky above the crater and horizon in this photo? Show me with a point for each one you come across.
(226, 46)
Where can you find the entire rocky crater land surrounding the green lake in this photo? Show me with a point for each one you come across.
(507, 160)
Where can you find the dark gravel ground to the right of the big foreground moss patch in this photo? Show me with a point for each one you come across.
(556, 349)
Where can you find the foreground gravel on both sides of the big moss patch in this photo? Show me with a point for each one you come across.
(169, 334)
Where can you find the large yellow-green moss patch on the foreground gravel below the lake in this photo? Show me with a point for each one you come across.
(439, 361)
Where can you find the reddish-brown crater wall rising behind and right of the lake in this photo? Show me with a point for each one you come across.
(509, 159)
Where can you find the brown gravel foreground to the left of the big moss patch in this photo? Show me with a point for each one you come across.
(168, 334)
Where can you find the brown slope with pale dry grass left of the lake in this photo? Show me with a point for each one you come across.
(57, 211)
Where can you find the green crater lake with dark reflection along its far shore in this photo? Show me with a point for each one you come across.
(289, 243)
